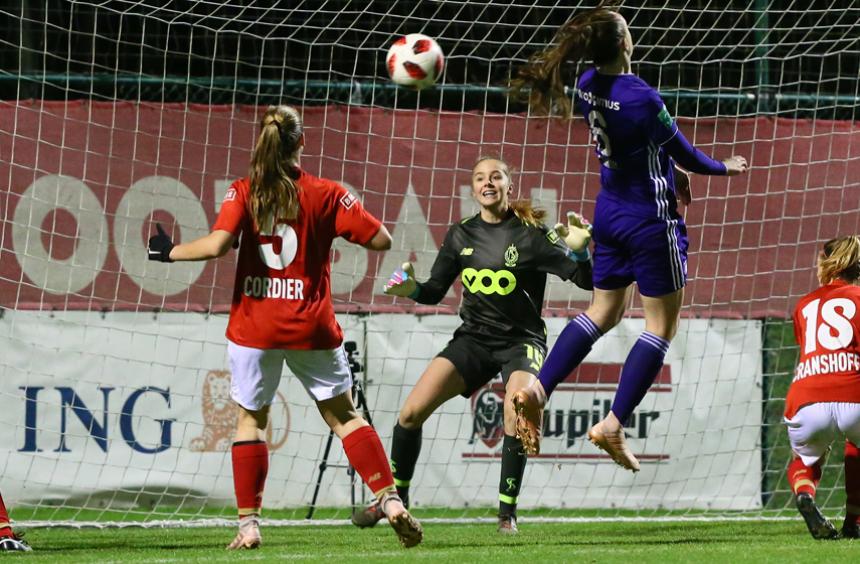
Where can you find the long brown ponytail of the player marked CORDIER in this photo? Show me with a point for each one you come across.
(274, 193)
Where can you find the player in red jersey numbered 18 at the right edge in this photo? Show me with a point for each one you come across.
(824, 396)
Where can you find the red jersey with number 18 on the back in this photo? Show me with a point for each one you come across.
(827, 328)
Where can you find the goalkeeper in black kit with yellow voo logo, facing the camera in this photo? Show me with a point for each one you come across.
(502, 256)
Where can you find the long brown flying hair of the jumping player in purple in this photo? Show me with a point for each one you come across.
(595, 35)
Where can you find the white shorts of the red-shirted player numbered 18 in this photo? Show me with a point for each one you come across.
(814, 426)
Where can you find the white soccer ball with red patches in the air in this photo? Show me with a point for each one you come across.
(415, 61)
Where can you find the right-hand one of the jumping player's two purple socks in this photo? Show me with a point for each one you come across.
(640, 369)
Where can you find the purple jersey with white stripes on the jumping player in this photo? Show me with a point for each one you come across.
(630, 125)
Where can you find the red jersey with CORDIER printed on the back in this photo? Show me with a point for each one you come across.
(282, 293)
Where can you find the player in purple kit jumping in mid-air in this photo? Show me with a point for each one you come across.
(638, 233)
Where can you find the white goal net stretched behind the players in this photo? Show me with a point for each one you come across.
(114, 380)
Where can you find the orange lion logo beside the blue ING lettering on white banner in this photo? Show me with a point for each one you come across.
(219, 417)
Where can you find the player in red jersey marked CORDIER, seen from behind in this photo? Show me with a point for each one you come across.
(282, 311)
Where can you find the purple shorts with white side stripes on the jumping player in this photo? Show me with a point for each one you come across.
(649, 251)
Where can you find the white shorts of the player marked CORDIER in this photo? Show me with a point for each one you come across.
(256, 373)
